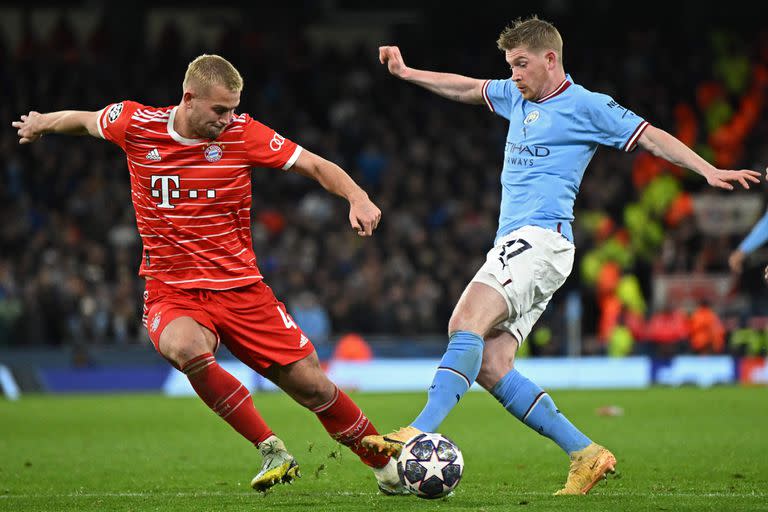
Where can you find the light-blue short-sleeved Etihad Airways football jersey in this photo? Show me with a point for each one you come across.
(549, 145)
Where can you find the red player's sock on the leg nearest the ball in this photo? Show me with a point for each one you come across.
(347, 424)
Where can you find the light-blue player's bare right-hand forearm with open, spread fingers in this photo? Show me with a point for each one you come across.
(664, 145)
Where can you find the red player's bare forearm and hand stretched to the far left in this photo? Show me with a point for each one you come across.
(71, 122)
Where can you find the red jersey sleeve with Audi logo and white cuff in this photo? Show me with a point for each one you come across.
(267, 148)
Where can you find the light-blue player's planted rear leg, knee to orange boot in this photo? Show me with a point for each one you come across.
(527, 402)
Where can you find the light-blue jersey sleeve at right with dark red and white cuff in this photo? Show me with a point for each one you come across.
(610, 124)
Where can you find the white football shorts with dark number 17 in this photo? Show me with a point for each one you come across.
(526, 267)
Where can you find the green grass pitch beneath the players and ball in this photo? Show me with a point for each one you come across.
(677, 449)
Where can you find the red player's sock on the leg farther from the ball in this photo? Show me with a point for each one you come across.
(226, 396)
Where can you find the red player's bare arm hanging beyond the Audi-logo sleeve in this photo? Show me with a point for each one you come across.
(364, 216)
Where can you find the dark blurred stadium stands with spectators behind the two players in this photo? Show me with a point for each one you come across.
(652, 240)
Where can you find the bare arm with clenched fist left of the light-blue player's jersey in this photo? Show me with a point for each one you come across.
(448, 85)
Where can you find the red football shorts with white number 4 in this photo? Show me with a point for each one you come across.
(249, 321)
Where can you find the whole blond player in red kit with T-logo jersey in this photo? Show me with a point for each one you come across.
(190, 168)
